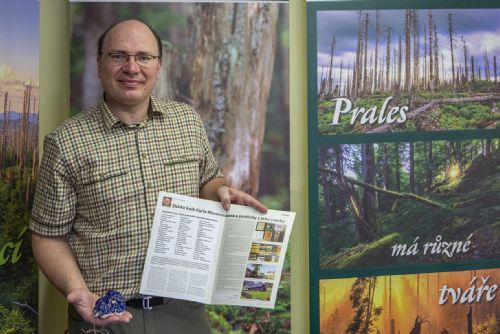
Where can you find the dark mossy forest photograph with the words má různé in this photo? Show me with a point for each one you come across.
(424, 202)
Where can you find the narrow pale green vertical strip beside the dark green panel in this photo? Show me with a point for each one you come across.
(298, 168)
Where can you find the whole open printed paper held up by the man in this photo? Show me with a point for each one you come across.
(200, 252)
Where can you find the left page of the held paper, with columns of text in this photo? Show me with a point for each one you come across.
(183, 248)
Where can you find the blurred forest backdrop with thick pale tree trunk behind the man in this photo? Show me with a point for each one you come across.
(230, 62)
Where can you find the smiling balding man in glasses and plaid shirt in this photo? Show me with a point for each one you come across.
(99, 178)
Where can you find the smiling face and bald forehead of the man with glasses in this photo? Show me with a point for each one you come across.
(128, 85)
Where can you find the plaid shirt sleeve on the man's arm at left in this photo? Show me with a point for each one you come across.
(55, 198)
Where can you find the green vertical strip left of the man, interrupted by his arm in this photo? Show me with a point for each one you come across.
(54, 108)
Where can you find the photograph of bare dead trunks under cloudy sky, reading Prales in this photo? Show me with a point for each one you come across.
(410, 70)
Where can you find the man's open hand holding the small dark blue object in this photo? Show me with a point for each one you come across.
(84, 302)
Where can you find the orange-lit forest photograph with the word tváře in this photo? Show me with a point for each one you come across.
(435, 303)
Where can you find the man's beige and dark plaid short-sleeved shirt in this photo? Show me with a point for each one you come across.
(99, 180)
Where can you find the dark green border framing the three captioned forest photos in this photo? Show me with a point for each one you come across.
(315, 140)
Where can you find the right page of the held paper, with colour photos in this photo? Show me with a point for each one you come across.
(252, 257)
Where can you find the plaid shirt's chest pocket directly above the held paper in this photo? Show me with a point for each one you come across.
(182, 175)
